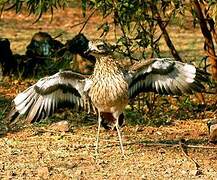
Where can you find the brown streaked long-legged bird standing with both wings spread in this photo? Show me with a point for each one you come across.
(108, 89)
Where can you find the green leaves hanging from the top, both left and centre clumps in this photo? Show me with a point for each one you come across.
(135, 19)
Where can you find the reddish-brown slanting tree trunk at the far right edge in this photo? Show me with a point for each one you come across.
(209, 46)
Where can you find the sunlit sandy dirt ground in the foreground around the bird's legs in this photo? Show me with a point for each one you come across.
(151, 153)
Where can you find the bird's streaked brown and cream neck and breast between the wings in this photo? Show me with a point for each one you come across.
(109, 91)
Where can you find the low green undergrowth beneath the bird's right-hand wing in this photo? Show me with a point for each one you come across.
(161, 110)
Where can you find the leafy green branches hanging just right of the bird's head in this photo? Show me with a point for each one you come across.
(137, 21)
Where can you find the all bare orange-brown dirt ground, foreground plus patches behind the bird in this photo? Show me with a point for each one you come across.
(39, 152)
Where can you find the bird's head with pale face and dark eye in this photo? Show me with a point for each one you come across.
(98, 48)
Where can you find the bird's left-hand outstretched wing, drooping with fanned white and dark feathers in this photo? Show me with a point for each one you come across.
(43, 98)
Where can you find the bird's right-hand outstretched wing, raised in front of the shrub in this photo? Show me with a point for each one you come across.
(166, 76)
